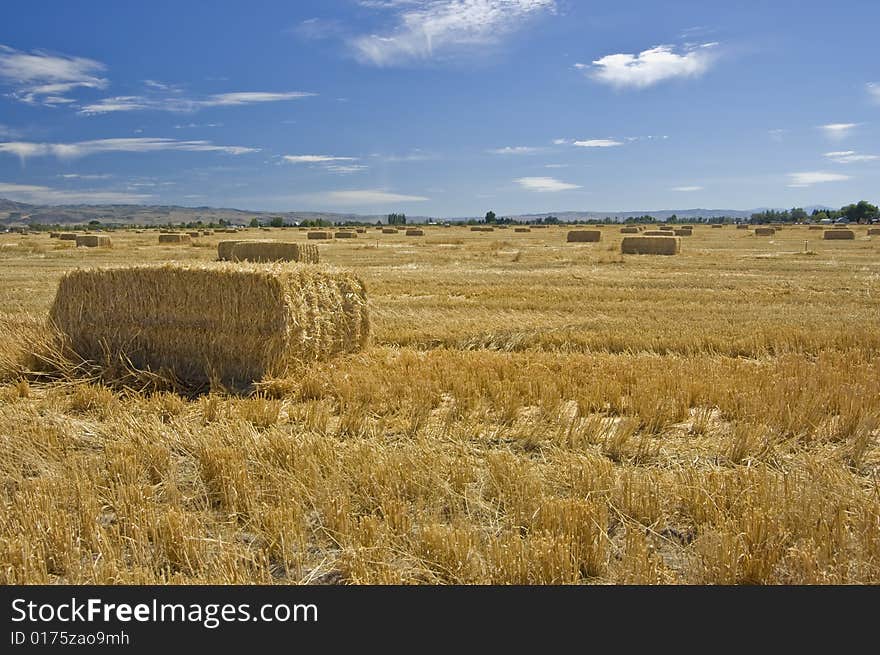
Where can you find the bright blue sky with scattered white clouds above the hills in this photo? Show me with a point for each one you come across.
(443, 107)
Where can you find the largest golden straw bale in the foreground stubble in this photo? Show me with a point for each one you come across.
(233, 322)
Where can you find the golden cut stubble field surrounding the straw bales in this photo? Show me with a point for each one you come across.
(530, 411)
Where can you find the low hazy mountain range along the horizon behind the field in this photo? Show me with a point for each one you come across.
(20, 213)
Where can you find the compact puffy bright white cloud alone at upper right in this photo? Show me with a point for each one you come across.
(651, 66)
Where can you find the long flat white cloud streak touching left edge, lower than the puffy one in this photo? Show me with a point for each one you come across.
(25, 149)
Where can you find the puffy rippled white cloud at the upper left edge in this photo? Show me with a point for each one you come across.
(42, 78)
